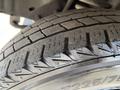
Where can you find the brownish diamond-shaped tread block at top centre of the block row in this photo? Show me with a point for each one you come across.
(71, 24)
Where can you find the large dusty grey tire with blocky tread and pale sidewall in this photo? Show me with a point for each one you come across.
(61, 51)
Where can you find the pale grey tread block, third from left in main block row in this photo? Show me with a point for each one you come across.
(21, 43)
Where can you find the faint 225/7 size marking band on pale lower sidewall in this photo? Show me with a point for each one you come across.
(92, 83)
